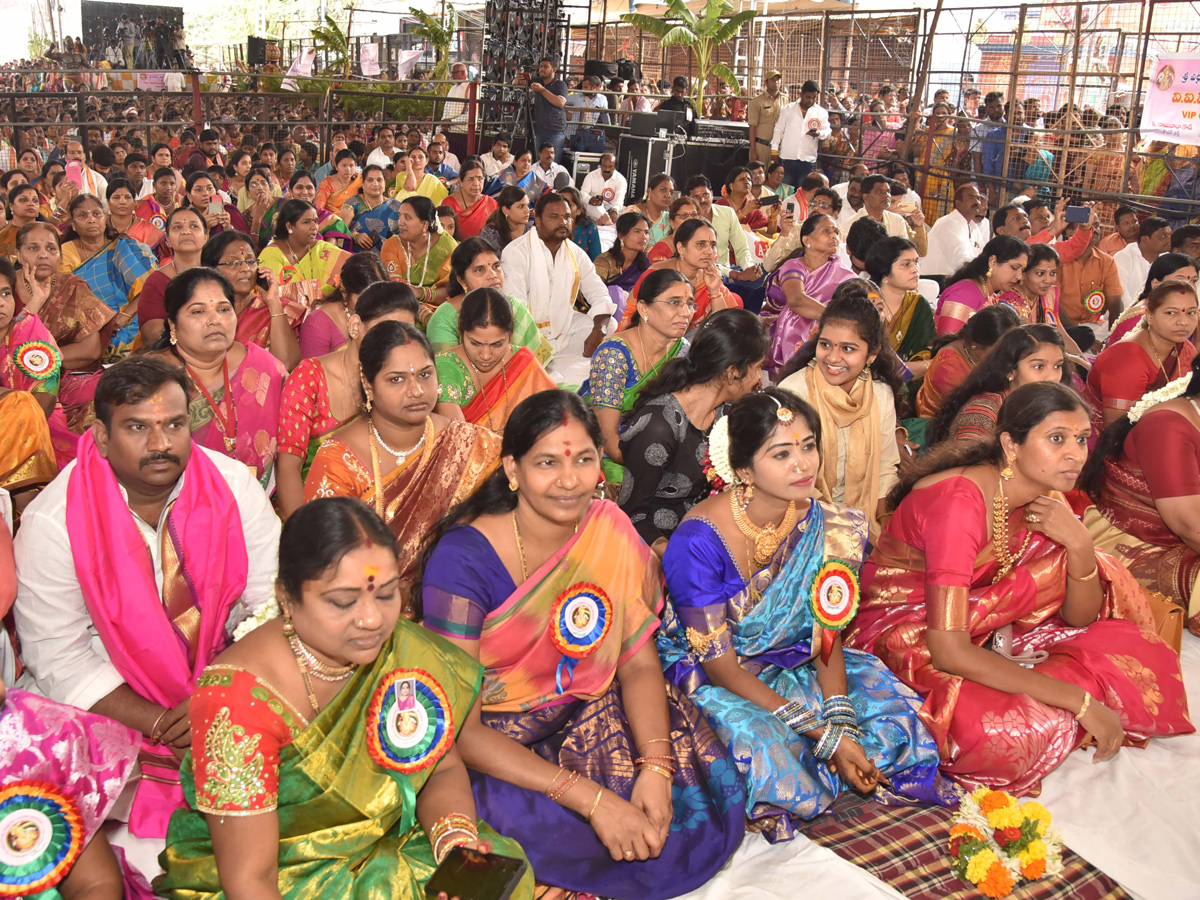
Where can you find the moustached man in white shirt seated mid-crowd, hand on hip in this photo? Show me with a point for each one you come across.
(549, 272)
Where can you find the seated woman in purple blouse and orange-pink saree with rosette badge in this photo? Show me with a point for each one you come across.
(613, 781)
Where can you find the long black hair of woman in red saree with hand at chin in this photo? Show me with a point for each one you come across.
(1022, 412)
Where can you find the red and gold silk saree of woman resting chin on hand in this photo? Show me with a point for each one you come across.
(986, 736)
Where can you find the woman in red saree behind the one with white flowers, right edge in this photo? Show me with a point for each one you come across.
(1157, 353)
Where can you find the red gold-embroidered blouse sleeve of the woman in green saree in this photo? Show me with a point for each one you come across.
(239, 724)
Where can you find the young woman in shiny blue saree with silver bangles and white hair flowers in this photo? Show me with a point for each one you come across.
(761, 579)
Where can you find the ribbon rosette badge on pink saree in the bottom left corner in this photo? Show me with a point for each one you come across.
(41, 837)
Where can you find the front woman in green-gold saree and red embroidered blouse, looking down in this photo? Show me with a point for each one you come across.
(325, 759)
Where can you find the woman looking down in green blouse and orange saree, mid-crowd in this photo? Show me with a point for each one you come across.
(485, 377)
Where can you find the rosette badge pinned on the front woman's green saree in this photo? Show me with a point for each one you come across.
(410, 722)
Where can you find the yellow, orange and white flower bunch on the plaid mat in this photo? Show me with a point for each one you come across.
(995, 842)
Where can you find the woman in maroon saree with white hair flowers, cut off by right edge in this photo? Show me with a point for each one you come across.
(1142, 494)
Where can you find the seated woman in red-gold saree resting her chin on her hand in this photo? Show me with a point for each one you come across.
(987, 596)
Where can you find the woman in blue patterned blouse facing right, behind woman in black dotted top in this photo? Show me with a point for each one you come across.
(627, 362)
